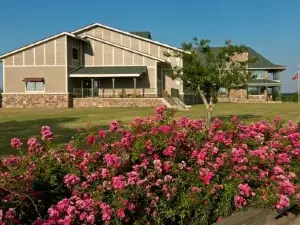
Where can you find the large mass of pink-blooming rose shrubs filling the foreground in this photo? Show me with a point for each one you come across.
(157, 171)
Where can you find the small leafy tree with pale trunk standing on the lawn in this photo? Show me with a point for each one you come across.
(205, 70)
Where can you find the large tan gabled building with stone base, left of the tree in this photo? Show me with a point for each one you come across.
(93, 66)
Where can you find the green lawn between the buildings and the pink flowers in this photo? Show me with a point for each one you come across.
(27, 122)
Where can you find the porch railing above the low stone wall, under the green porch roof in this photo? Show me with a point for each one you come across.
(114, 93)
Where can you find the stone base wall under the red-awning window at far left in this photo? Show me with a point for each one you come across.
(36, 100)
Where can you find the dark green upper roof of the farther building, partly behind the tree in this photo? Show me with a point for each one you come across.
(260, 63)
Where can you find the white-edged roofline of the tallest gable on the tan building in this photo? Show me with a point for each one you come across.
(127, 33)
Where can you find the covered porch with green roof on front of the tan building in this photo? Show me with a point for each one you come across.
(112, 82)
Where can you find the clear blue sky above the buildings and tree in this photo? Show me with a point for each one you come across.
(271, 27)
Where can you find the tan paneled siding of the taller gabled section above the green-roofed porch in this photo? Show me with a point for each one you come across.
(104, 54)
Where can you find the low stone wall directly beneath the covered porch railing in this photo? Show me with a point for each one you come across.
(116, 102)
